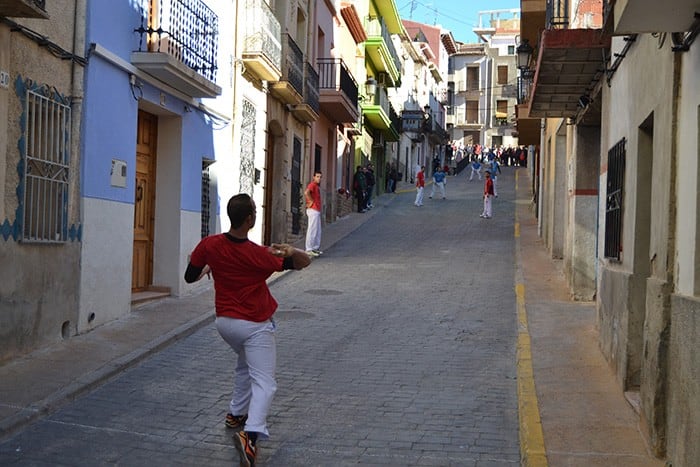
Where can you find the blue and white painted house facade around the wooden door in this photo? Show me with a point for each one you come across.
(117, 88)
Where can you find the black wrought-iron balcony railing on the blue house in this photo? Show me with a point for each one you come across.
(187, 30)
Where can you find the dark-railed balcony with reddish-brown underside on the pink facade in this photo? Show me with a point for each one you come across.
(338, 91)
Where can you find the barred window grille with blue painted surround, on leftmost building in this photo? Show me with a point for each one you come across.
(46, 169)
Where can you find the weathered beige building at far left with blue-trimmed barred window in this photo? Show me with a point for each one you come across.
(41, 76)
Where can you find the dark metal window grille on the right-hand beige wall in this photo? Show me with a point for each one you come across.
(614, 203)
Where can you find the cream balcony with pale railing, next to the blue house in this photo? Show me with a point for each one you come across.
(262, 43)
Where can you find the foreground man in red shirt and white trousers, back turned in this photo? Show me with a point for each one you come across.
(244, 309)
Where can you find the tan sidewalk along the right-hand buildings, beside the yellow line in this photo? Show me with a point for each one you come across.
(586, 420)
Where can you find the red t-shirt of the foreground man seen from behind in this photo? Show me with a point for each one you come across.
(240, 269)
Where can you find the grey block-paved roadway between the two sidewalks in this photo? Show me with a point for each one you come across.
(396, 347)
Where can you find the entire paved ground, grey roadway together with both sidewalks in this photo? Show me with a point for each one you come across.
(401, 346)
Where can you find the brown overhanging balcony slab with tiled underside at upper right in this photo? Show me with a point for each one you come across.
(570, 63)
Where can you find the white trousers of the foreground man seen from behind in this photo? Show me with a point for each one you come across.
(254, 378)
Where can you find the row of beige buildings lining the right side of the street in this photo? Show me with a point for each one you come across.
(614, 87)
